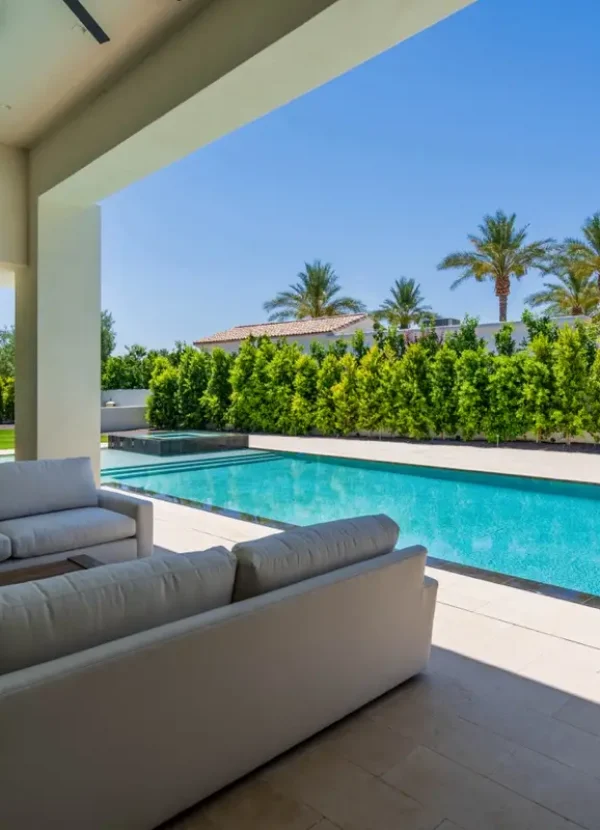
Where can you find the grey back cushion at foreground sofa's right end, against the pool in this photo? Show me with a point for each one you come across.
(286, 558)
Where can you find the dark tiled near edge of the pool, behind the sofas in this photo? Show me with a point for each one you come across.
(508, 581)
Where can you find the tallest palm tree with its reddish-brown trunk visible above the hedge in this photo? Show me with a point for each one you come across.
(500, 253)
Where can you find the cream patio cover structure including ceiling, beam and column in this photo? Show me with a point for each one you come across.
(89, 106)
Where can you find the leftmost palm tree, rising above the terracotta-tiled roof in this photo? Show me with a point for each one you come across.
(314, 295)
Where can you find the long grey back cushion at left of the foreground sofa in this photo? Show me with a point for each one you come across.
(43, 620)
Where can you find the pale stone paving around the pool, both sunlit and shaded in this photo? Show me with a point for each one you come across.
(501, 733)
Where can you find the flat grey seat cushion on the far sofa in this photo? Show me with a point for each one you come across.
(66, 530)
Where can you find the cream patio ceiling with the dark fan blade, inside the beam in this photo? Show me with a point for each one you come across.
(49, 62)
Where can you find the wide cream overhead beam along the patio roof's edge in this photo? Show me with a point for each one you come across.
(233, 63)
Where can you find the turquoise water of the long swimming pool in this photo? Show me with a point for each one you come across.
(541, 530)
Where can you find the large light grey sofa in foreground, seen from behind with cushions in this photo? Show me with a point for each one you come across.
(127, 733)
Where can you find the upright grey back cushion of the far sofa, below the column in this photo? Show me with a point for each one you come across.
(31, 487)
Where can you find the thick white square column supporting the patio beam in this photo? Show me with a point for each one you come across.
(58, 335)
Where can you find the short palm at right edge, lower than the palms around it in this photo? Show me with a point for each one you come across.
(573, 293)
